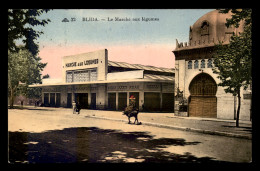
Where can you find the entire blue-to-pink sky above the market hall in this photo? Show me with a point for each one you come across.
(125, 33)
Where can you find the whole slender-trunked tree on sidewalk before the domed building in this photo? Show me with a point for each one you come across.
(233, 62)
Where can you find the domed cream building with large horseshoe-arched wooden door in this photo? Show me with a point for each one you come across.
(194, 76)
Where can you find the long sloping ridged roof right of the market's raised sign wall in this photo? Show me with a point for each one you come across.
(138, 66)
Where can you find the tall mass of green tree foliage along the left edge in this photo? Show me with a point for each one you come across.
(24, 66)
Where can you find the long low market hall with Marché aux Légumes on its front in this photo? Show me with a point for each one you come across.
(97, 83)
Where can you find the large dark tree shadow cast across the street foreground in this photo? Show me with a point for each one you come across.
(94, 145)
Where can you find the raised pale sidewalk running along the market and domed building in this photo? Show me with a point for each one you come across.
(168, 120)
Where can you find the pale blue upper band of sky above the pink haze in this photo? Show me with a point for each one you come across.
(173, 24)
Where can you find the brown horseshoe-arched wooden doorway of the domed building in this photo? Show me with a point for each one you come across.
(203, 100)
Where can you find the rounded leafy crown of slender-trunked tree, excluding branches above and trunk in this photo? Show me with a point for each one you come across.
(233, 64)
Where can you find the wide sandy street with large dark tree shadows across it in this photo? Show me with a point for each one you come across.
(49, 135)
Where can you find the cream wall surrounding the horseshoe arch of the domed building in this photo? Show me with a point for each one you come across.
(225, 101)
